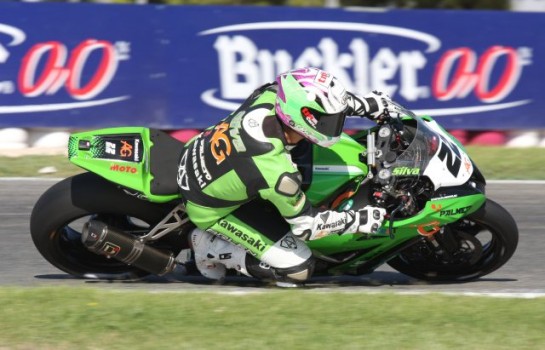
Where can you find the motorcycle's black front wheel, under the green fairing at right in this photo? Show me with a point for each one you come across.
(483, 242)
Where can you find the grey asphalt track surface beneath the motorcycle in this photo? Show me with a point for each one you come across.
(523, 275)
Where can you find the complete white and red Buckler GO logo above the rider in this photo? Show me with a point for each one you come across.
(458, 74)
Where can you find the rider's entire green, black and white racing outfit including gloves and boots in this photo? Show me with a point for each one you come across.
(238, 181)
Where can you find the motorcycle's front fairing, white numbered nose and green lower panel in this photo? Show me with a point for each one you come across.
(427, 152)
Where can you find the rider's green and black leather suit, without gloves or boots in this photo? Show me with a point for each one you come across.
(238, 160)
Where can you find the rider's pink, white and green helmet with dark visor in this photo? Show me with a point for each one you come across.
(313, 103)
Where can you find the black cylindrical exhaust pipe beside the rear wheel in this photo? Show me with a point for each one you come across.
(103, 240)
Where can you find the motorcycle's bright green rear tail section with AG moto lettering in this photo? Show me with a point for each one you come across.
(142, 160)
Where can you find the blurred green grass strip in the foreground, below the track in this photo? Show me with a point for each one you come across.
(85, 318)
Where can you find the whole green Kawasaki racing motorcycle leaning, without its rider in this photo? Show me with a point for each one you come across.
(124, 217)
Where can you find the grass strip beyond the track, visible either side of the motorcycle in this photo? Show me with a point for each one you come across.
(494, 162)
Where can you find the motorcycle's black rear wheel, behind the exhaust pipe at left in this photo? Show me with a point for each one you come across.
(58, 217)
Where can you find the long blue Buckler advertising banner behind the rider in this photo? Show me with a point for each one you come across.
(172, 67)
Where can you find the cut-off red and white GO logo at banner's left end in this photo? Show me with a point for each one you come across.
(81, 72)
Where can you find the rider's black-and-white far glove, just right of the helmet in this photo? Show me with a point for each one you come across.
(373, 105)
